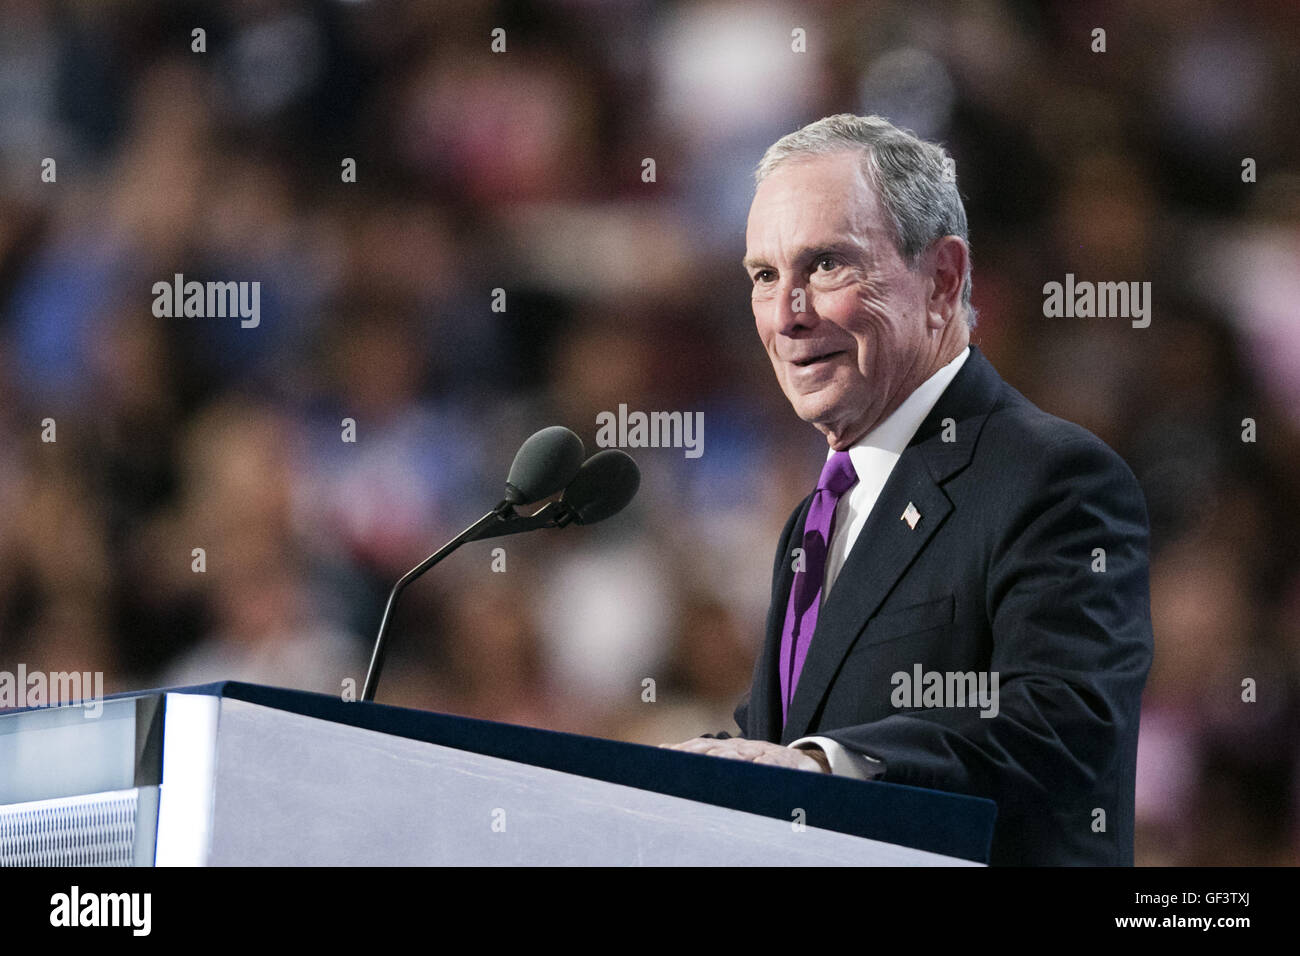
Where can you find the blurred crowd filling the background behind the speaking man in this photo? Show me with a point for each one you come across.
(523, 171)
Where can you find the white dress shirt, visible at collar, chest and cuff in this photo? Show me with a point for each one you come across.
(874, 458)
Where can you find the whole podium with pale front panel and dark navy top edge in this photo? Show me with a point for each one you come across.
(241, 775)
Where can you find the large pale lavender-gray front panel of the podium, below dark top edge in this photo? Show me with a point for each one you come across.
(294, 790)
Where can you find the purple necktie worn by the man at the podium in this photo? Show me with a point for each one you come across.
(838, 478)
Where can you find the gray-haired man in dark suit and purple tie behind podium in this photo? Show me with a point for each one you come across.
(963, 603)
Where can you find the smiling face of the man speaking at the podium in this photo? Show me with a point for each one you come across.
(817, 231)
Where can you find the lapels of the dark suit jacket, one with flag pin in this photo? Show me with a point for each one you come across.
(889, 546)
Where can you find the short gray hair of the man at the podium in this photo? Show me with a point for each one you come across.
(916, 180)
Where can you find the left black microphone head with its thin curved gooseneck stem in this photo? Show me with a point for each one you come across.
(545, 464)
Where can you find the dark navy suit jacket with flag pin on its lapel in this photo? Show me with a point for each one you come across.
(1000, 574)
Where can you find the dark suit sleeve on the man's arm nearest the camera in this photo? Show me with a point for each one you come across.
(1072, 647)
